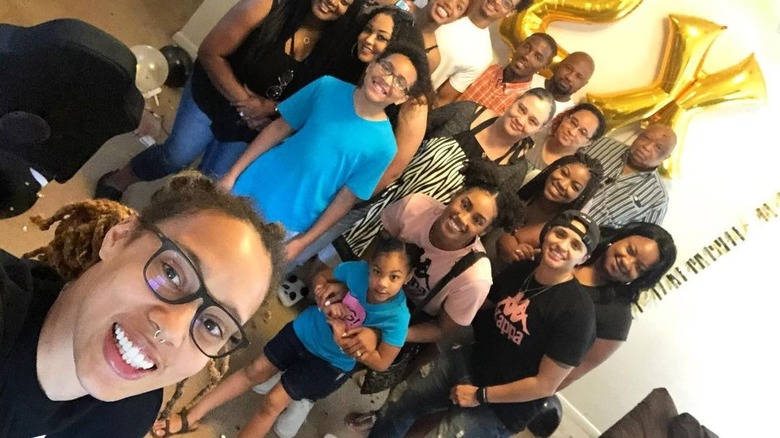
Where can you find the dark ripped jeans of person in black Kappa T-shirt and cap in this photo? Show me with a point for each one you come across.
(428, 391)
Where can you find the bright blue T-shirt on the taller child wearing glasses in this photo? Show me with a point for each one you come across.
(332, 147)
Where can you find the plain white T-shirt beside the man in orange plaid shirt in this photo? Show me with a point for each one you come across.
(465, 52)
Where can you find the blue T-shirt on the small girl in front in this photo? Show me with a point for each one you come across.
(390, 317)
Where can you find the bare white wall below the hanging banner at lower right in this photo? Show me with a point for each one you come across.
(710, 343)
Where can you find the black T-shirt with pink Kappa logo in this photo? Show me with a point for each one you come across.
(512, 338)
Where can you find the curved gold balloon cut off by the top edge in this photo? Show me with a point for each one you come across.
(520, 25)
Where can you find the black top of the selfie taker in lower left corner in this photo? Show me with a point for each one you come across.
(27, 291)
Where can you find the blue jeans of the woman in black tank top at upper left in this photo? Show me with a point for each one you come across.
(191, 137)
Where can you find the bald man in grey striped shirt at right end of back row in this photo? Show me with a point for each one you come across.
(632, 189)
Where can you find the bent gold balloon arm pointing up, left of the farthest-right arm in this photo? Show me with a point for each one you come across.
(685, 48)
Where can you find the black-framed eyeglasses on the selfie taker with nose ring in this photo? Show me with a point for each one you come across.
(173, 278)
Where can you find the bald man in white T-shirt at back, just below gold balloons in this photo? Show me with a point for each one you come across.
(570, 76)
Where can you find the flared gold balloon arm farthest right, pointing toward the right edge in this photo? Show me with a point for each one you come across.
(739, 83)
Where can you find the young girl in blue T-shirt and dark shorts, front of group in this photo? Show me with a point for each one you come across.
(354, 294)
